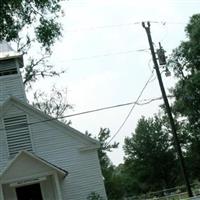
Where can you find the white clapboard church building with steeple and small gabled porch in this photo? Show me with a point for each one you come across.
(40, 158)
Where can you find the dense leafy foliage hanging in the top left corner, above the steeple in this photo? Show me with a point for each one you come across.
(19, 15)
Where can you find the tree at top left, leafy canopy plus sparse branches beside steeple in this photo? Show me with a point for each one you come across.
(28, 22)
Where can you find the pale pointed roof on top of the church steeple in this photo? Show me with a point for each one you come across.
(6, 51)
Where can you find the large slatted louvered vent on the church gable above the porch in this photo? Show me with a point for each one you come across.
(18, 136)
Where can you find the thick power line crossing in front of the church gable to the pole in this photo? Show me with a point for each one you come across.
(144, 102)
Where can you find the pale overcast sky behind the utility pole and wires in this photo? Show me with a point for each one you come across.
(105, 53)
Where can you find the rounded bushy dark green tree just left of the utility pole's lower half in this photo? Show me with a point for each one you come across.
(150, 161)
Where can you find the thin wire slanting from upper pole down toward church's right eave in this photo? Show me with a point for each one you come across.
(129, 113)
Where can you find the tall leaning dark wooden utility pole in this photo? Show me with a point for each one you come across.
(168, 109)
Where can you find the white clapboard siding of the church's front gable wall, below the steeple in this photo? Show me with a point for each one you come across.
(58, 147)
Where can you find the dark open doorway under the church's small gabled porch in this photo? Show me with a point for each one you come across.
(29, 192)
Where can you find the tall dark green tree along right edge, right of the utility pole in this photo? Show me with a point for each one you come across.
(185, 61)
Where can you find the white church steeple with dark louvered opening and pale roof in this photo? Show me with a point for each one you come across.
(11, 83)
